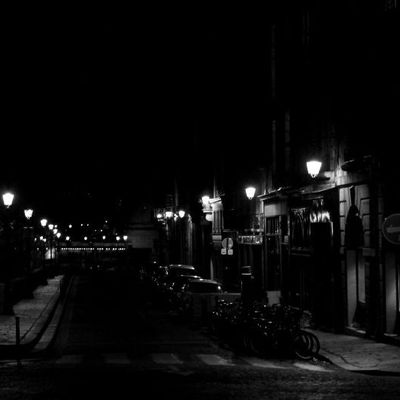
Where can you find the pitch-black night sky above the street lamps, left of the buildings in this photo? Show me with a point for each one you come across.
(105, 101)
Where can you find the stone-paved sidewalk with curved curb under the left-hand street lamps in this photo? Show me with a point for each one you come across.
(34, 316)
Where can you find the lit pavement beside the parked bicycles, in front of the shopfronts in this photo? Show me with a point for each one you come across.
(359, 354)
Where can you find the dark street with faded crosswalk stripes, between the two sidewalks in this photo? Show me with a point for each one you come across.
(113, 342)
